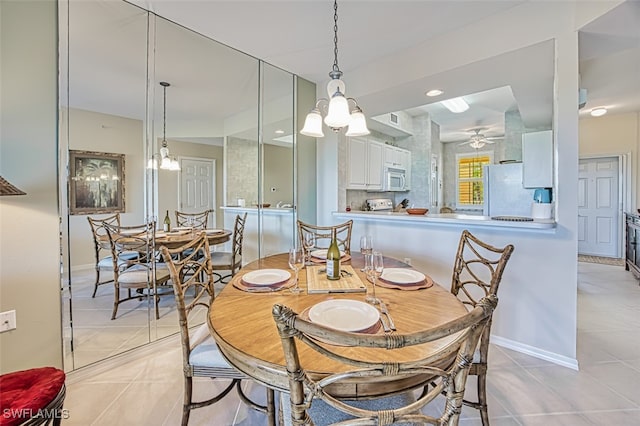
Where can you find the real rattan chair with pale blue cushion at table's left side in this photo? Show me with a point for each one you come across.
(200, 355)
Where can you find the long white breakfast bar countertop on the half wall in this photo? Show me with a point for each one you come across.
(448, 219)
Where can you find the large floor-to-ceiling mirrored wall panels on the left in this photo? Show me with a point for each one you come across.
(228, 121)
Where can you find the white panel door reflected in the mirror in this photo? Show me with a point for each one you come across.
(198, 186)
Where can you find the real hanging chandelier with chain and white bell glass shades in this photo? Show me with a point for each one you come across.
(337, 105)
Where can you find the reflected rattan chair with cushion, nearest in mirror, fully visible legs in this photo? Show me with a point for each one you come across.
(144, 274)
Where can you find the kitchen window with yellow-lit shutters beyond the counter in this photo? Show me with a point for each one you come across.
(470, 179)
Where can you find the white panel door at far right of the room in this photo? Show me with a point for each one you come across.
(598, 207)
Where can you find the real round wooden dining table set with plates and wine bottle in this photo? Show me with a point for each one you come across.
(242, 324)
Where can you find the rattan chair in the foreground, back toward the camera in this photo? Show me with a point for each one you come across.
(448, 364)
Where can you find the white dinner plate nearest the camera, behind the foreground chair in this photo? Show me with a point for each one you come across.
(344, 314)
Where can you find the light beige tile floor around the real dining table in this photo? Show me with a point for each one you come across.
(144, 386)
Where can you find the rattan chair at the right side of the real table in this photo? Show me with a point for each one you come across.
(477, 273)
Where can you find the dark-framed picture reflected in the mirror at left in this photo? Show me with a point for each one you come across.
(96, 182)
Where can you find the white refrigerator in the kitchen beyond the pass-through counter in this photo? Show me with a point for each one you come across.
(504, 194)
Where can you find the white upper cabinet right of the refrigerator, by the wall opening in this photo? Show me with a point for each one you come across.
(537, 159)
